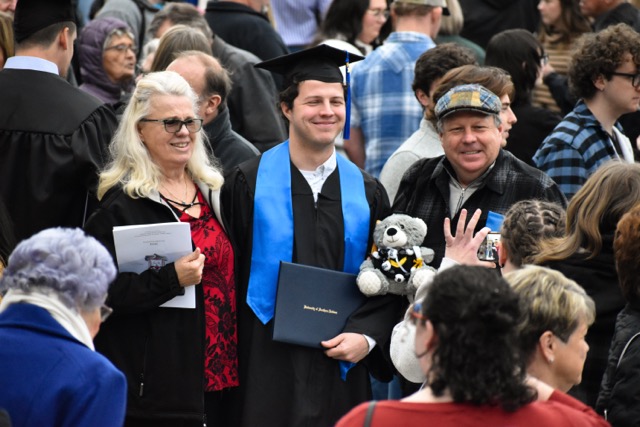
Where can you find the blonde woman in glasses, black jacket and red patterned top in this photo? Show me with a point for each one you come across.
(179, 362)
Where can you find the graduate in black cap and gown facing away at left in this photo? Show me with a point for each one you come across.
(53, 136)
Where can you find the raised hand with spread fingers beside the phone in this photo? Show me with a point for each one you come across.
(463, 247)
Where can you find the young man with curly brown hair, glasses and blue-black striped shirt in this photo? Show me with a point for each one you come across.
(605, 75)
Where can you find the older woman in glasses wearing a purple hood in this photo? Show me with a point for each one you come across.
(107, 57)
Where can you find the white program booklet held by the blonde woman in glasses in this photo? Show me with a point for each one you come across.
(141, 247)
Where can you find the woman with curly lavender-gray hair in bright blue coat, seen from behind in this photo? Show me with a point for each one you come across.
(56, 283)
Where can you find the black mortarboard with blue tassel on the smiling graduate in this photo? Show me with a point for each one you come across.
(320, 63)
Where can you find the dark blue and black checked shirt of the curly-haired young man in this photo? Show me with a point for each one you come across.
(575, 149)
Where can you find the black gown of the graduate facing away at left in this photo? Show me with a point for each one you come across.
(53, 141)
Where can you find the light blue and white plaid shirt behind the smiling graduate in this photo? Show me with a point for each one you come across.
(383, 104)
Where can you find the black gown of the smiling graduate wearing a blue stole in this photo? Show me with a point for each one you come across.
(288, 385)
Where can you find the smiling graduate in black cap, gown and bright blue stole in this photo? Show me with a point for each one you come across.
(300, 202)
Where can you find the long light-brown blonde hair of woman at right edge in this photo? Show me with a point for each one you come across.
(595, 210)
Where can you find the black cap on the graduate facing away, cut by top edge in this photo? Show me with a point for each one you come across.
(32, 16)
